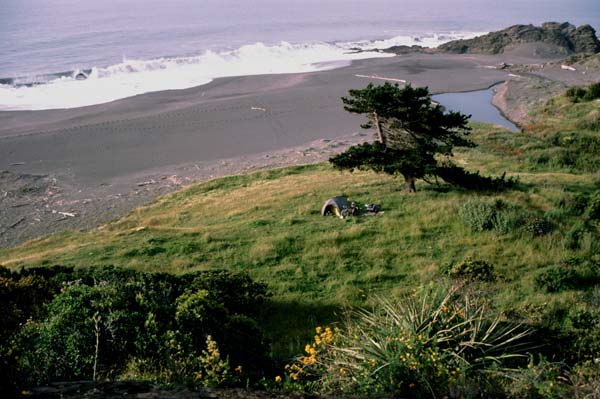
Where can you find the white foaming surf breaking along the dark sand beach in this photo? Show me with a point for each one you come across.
(133, 77)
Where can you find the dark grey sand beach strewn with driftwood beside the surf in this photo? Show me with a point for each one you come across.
(93, 162)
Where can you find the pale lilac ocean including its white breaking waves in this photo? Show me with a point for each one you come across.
(68, 53)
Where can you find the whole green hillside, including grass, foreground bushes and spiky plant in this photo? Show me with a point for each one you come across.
(529, 255)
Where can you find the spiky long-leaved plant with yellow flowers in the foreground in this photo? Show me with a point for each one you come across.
(433, 343)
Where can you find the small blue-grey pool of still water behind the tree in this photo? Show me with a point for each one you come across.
(478, 104)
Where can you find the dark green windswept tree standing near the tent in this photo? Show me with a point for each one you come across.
(410, 131)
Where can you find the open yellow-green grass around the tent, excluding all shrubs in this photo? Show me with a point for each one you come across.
(268, 224)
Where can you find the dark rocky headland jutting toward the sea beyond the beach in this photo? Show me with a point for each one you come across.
(563, 38)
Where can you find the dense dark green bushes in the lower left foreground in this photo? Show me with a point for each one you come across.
(107, 322)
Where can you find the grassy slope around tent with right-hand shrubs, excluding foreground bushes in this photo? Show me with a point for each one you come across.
(536, 245)
